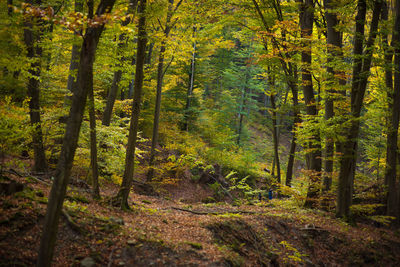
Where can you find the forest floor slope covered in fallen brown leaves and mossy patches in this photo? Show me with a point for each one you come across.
(176, 229)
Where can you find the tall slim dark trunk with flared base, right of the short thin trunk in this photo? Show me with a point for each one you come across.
(123, 194)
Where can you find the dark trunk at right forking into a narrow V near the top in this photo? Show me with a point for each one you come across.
(361, 72)
